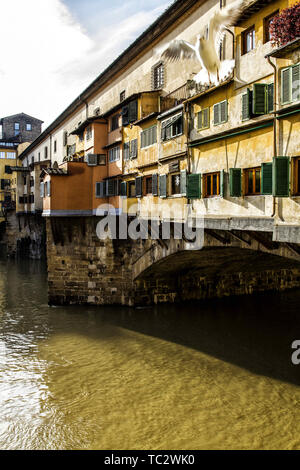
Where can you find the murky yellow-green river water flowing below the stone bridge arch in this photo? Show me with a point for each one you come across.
(215, 375)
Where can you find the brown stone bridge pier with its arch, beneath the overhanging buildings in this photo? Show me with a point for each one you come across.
(83, 269)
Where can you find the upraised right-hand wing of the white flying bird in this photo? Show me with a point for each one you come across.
(223, 19)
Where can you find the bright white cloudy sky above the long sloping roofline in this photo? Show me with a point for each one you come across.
(51, 50)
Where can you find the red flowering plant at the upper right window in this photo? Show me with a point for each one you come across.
(285, 27)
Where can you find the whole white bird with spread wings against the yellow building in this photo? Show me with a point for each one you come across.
(206, 50)
